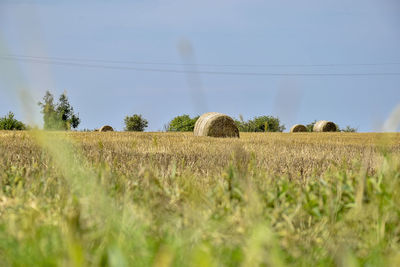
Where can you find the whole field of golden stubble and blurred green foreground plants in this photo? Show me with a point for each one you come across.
(162, 199)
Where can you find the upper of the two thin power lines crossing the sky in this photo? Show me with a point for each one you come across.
(74, 59)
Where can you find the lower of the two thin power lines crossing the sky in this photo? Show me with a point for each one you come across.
(75, 64)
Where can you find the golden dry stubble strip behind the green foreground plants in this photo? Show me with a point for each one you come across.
(278, 154)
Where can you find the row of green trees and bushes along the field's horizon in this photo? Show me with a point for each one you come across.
(60, 115)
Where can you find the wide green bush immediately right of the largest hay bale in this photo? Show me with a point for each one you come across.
(260, 124)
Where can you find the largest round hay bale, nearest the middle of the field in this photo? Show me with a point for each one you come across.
(215, 125)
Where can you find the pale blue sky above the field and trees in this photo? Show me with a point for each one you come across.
(162, 58)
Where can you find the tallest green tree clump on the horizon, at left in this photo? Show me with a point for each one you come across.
(58, 116)
